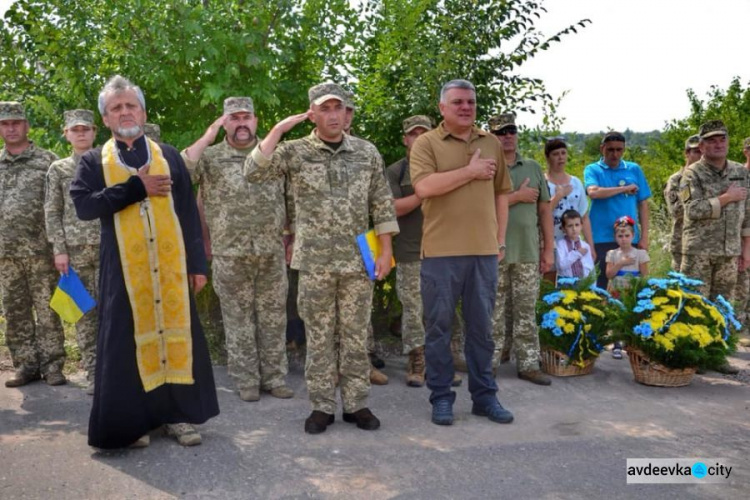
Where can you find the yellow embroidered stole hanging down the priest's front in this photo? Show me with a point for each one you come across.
(152, 253)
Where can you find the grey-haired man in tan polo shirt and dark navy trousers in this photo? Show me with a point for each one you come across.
(459, 172)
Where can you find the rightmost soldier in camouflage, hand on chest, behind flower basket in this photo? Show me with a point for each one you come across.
(716, 234)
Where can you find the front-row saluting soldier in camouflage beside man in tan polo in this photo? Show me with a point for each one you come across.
(337, 184)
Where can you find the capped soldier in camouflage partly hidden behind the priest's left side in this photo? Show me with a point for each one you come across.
(75, 242)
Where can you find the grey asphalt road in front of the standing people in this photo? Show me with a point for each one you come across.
(569, 441)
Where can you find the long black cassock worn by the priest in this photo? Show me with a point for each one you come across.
(122, 411)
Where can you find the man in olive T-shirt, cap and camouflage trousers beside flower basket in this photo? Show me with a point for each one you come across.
(520, 272)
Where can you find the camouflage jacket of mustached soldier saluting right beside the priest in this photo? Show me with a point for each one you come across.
(243, 218)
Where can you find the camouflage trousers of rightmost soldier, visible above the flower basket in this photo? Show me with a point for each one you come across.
(717, 272)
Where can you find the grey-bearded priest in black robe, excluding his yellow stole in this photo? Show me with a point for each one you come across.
(123, 412)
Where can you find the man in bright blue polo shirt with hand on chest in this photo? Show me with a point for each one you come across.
(616, 188)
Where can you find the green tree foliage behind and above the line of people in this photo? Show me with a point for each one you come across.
(188, 55)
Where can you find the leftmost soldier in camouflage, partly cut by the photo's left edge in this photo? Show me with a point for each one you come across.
(27, 276)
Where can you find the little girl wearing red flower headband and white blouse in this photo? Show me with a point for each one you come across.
(625, 262)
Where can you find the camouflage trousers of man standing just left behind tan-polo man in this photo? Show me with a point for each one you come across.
(408, 291)
